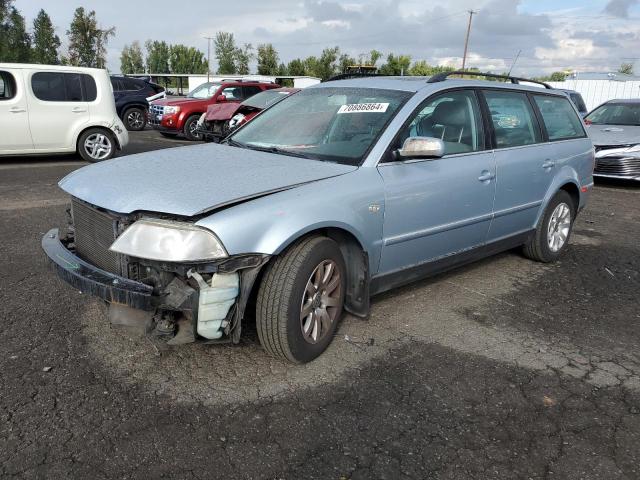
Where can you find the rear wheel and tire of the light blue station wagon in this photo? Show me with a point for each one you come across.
(552, 234)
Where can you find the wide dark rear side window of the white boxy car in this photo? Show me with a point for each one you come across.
(63, 87)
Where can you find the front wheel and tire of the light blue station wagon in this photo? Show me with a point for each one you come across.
(292, 286)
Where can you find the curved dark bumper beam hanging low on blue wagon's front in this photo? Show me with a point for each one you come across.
(94, 281)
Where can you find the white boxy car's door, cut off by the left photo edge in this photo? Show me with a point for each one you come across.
(15, 136)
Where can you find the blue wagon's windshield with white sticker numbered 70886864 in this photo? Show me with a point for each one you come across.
(331, 124)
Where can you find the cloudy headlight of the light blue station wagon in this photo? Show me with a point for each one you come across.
(168, 241)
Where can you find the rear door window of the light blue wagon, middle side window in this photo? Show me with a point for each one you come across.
(513, 119)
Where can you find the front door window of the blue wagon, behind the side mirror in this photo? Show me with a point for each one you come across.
(453, 117)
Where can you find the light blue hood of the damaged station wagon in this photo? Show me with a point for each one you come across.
(188, 181)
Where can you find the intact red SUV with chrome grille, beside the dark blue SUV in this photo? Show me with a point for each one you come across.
(174, 116)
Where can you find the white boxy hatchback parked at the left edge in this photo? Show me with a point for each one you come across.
(58, 109)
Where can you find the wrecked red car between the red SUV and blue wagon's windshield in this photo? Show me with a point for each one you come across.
(223, 118)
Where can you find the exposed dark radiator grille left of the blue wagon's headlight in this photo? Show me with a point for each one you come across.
(95, 231)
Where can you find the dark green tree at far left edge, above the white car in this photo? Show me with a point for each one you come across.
(15, 42)
